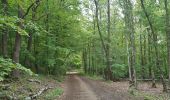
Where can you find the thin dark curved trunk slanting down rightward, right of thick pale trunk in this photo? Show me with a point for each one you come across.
(155, 47)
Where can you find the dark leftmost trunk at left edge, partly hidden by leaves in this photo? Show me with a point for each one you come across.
(5, 31)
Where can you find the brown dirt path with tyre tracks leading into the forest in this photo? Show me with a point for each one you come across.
(81, 88)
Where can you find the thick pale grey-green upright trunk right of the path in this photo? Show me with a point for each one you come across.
(131, 40)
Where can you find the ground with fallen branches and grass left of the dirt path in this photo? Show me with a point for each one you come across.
(27, 87)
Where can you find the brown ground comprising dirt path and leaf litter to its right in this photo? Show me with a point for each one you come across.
(78, 87)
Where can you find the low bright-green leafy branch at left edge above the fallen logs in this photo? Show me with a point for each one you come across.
(7, 66)
